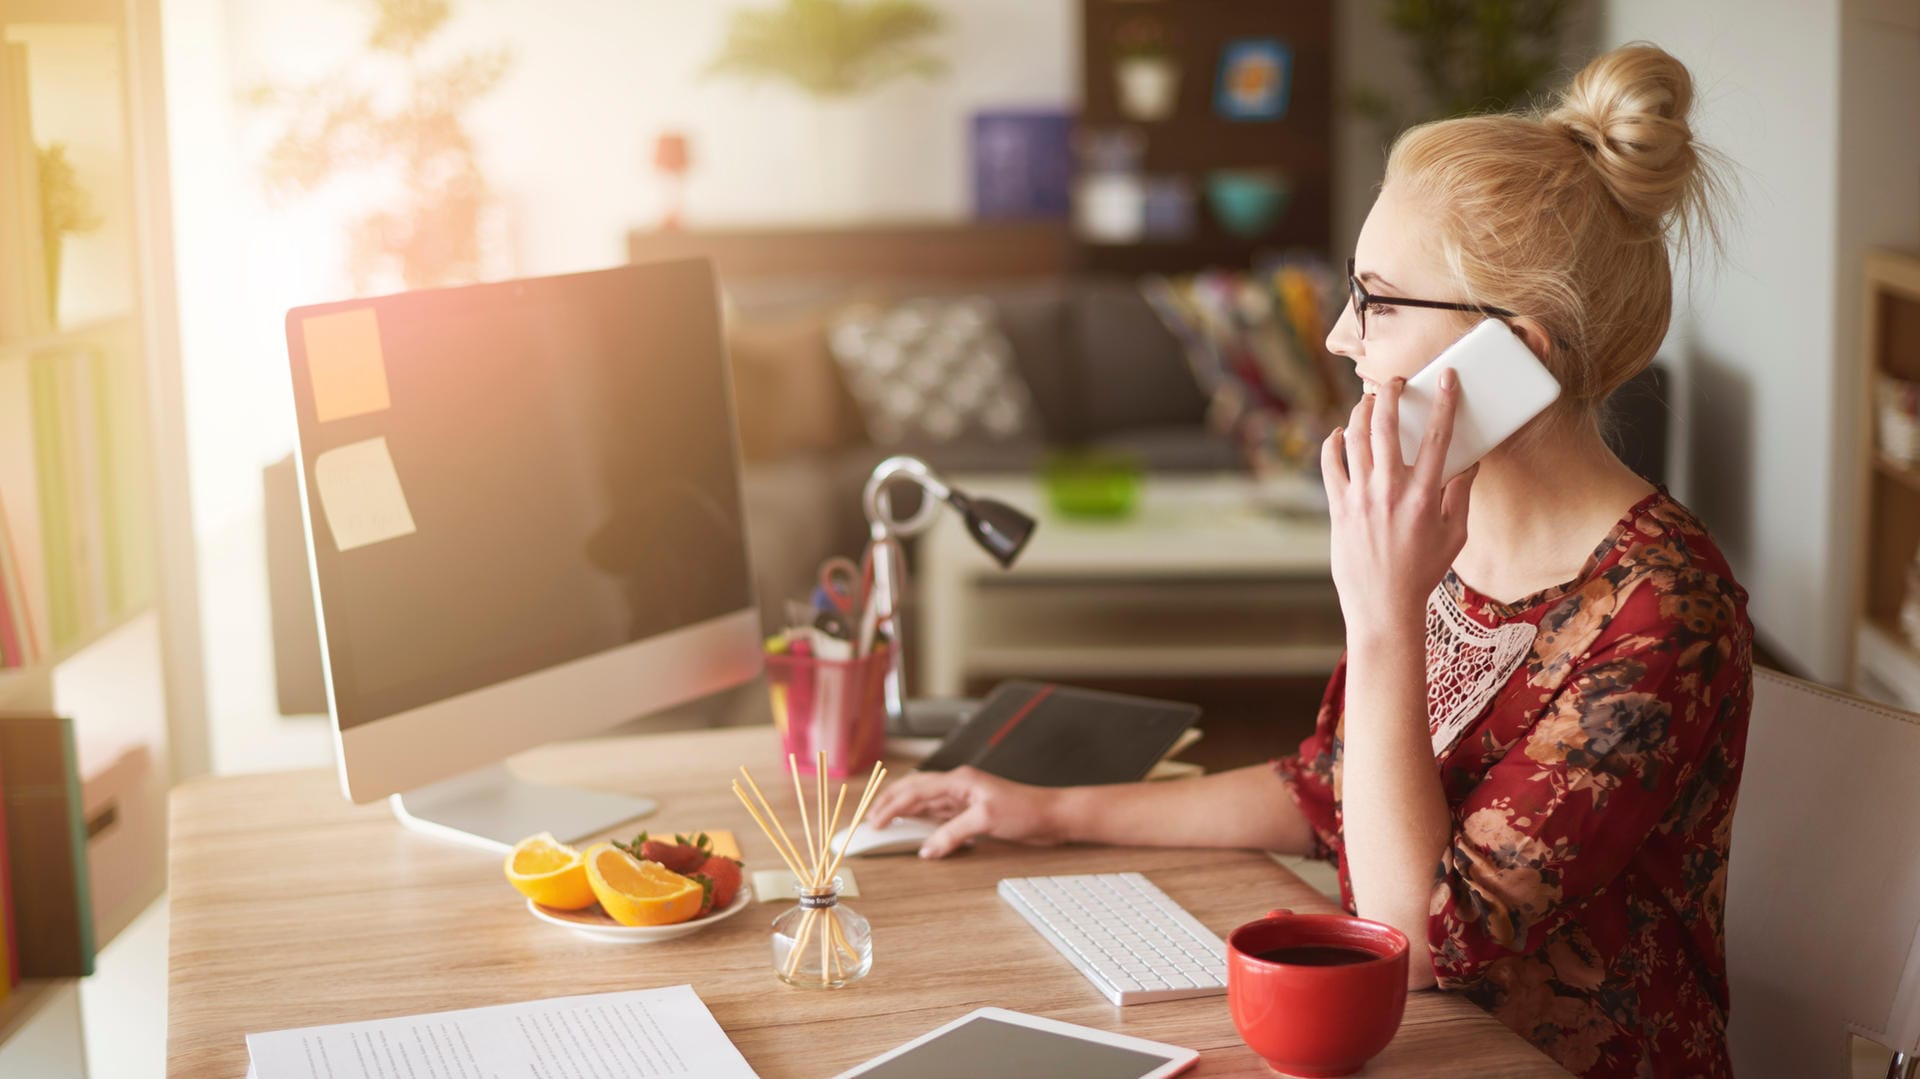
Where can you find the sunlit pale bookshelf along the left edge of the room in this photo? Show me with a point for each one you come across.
(97, 617)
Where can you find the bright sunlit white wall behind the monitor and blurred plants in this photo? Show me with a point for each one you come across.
(567, 149)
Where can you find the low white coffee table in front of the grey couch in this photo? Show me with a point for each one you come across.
(1209, 579)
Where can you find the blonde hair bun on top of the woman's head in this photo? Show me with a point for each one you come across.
(1629, 110)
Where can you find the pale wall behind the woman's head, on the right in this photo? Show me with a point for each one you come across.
(1767, 337)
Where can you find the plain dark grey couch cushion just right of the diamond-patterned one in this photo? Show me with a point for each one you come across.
(1134, 372)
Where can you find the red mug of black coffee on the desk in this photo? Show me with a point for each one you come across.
(1307, 1019)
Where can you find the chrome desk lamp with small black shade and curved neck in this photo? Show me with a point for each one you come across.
(999, 529)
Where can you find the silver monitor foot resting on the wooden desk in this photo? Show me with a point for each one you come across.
(492, 809)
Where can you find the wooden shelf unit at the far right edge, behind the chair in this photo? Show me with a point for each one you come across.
(1886, 659)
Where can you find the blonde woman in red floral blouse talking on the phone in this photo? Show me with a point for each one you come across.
(1529, 755)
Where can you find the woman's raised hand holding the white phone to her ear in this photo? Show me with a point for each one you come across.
(1397, 529)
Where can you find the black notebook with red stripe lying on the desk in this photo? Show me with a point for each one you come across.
(1063, 736)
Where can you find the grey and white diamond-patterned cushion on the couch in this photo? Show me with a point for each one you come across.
(932, 372)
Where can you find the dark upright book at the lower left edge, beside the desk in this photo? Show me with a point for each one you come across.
(47, 848)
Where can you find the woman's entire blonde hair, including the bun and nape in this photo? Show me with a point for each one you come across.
(1572, 216)
